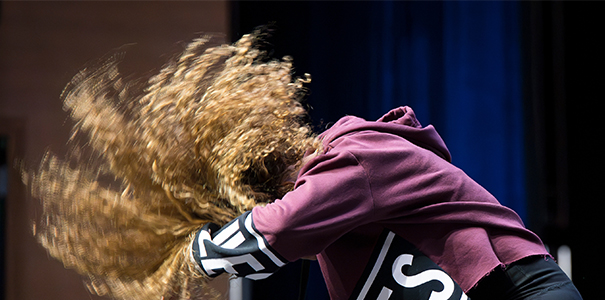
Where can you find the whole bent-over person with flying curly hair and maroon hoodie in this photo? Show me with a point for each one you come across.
(209, 167)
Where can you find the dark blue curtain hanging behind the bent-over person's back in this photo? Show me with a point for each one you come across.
(458, 64)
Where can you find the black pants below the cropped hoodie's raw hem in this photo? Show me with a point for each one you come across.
(535, 278)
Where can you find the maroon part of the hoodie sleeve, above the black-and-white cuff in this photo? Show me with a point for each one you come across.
(331, 197)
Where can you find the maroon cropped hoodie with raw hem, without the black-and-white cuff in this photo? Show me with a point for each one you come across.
(395, 174)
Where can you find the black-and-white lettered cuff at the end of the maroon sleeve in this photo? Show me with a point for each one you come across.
(236, 248)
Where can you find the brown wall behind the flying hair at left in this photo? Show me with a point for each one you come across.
(42, 45)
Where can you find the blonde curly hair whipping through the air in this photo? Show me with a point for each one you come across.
(216, 132)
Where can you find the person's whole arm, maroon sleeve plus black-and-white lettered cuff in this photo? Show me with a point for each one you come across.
(331, 197)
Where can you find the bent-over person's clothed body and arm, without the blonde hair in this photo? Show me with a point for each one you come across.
(389, 217)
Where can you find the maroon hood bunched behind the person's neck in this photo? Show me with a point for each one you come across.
(400, 121)
